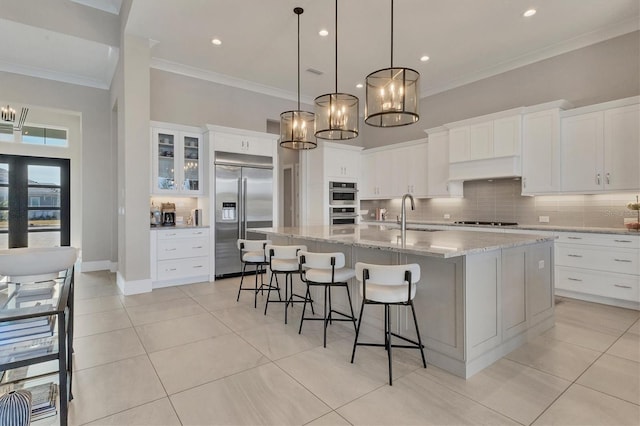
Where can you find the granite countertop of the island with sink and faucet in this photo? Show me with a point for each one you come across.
(443, 244)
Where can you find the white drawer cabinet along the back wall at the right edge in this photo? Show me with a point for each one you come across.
(602, 268)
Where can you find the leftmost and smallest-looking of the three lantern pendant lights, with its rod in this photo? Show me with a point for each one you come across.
(297, 127)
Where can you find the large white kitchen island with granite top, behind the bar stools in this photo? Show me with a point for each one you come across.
(481, 294)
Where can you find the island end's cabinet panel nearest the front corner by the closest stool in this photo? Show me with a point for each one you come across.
(482, 302)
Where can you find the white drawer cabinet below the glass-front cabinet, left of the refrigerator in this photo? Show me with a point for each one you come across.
(179, 256)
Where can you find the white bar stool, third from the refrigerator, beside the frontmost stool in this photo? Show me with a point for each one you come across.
(326, 270)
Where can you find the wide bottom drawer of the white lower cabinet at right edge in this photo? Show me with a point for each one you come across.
(616, 286)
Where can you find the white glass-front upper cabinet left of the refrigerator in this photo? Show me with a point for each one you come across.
(177, 167)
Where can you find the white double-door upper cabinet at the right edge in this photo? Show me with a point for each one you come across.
(600, 149)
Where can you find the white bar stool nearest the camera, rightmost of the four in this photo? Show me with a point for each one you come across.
(388, 285)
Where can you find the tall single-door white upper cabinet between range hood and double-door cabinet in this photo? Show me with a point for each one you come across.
(541, 151)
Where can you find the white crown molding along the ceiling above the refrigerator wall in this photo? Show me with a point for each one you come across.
(189, 71)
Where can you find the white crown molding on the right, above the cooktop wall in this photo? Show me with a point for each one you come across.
(584, 40)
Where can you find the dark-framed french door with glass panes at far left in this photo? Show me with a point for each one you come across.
(34, 202)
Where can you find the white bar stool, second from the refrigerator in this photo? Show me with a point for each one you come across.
(284, 260)
